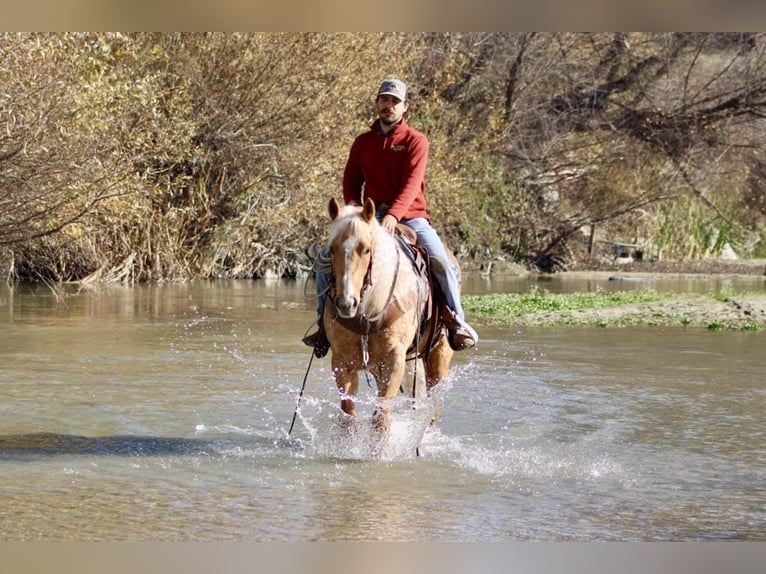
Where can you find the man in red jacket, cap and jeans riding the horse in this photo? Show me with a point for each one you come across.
(388, 163)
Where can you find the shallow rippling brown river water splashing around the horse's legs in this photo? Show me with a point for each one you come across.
(161, 413)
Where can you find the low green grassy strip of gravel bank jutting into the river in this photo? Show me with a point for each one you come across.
(715, 311)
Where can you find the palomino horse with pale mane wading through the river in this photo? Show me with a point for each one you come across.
(376, 311)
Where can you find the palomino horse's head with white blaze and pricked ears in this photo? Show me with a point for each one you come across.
(352, 242)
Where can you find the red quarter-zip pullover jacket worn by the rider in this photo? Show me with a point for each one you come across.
(391, 168)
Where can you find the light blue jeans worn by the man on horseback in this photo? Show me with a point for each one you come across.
(446, 274)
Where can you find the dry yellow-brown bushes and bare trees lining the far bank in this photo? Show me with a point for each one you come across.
(130, 157)
